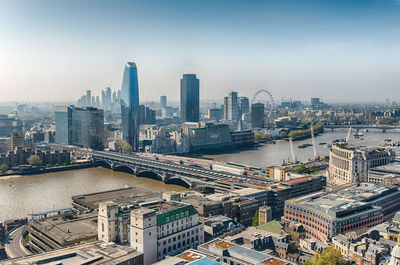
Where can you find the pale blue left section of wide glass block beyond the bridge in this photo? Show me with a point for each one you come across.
(63, 117)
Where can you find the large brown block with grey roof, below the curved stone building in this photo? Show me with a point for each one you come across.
(325, 215)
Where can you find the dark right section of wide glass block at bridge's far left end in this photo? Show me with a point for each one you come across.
(88, 127)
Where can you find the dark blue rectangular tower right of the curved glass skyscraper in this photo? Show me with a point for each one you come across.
(190, 98)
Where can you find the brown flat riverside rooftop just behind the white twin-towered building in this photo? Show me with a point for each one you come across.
(124, 196)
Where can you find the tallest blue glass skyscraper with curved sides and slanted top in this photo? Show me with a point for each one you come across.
(130, 105)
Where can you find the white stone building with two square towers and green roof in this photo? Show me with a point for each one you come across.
(155, 227)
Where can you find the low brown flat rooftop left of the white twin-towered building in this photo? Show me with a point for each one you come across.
(80, 227)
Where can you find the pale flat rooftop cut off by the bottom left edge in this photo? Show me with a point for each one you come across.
(92, 253)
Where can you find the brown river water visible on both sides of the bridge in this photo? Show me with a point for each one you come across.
(21, 195)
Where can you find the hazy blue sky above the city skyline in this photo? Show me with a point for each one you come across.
(339, 50)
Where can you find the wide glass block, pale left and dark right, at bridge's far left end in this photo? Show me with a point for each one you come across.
(81, 126)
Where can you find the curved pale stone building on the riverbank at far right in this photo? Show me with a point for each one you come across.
(348, 164)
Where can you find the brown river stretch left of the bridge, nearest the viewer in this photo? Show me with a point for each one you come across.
(21, 195)
